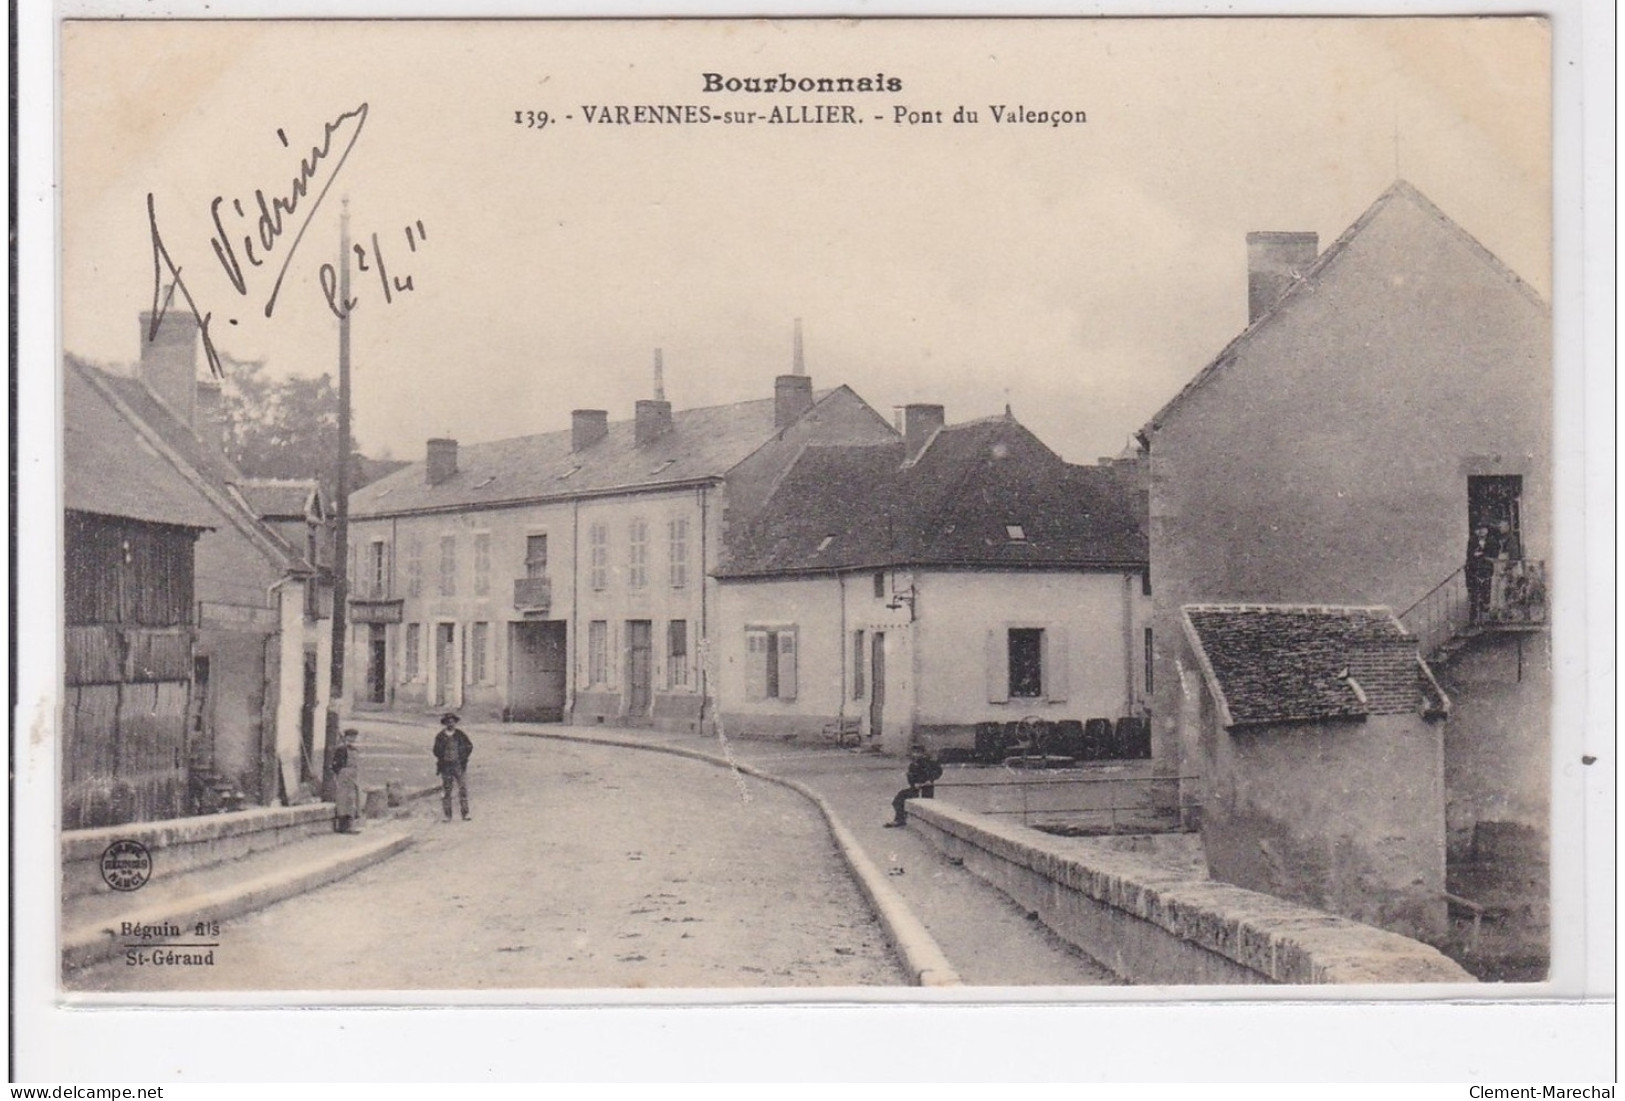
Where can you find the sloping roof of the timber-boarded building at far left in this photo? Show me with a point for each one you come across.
(98, 395)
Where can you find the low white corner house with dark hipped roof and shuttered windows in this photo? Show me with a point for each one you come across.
(922, 590)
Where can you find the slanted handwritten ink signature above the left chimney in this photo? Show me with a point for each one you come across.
(275, 218)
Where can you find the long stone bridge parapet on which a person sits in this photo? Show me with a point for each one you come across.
(1155, 922)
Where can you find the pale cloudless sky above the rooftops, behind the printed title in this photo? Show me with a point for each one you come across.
(1081, 274)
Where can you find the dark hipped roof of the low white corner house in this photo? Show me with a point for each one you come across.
(859, 507)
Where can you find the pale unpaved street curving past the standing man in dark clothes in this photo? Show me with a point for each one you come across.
(583, 868)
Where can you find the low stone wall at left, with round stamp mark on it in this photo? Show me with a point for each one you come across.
(183, 845)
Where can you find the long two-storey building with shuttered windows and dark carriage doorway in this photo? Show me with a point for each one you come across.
(566, 577)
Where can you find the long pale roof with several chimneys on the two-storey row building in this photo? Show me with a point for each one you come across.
(701, 444)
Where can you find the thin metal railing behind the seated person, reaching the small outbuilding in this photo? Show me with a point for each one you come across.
(1083, 805)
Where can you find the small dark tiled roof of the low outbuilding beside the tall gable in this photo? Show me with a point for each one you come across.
(1291, 663)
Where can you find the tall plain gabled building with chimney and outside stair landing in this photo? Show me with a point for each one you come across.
(1389, 405)
